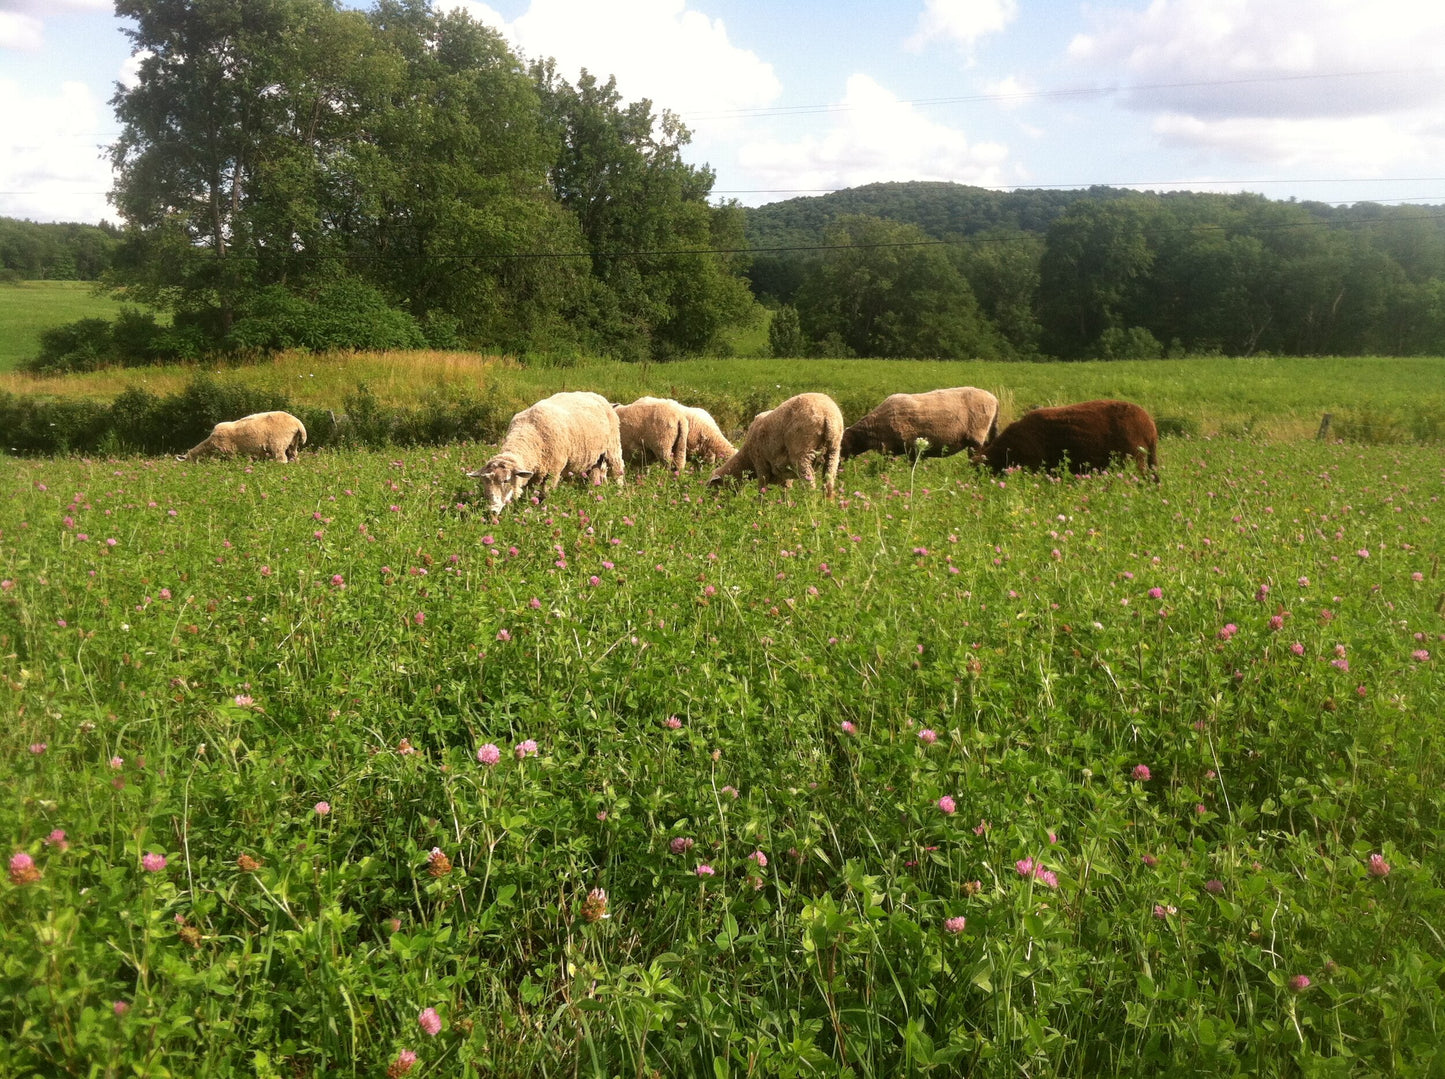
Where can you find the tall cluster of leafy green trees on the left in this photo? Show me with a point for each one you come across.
(284, 161)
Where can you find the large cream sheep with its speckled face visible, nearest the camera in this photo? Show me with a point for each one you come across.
(564, 435)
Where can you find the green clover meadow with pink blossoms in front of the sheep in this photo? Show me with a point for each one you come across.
(313, 773)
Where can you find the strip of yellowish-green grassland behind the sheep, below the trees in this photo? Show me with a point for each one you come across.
(1372, 399)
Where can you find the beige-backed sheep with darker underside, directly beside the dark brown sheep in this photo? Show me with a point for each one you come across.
(949, 420)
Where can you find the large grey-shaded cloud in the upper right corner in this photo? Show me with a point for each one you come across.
(1350, 87)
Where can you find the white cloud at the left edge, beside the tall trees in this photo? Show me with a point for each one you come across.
(51, 167)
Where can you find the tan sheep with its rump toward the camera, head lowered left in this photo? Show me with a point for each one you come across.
(788, 440)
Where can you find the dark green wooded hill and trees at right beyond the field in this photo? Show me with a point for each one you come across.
(944, 271)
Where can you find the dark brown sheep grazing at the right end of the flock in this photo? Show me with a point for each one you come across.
(1086, 435)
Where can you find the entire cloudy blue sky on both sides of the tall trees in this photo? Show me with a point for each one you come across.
(1323, 100)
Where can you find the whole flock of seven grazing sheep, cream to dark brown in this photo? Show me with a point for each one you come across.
(583, 435)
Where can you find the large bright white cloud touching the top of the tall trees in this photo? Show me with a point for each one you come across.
(678, 58)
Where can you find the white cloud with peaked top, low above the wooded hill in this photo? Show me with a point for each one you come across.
(875, 138)
